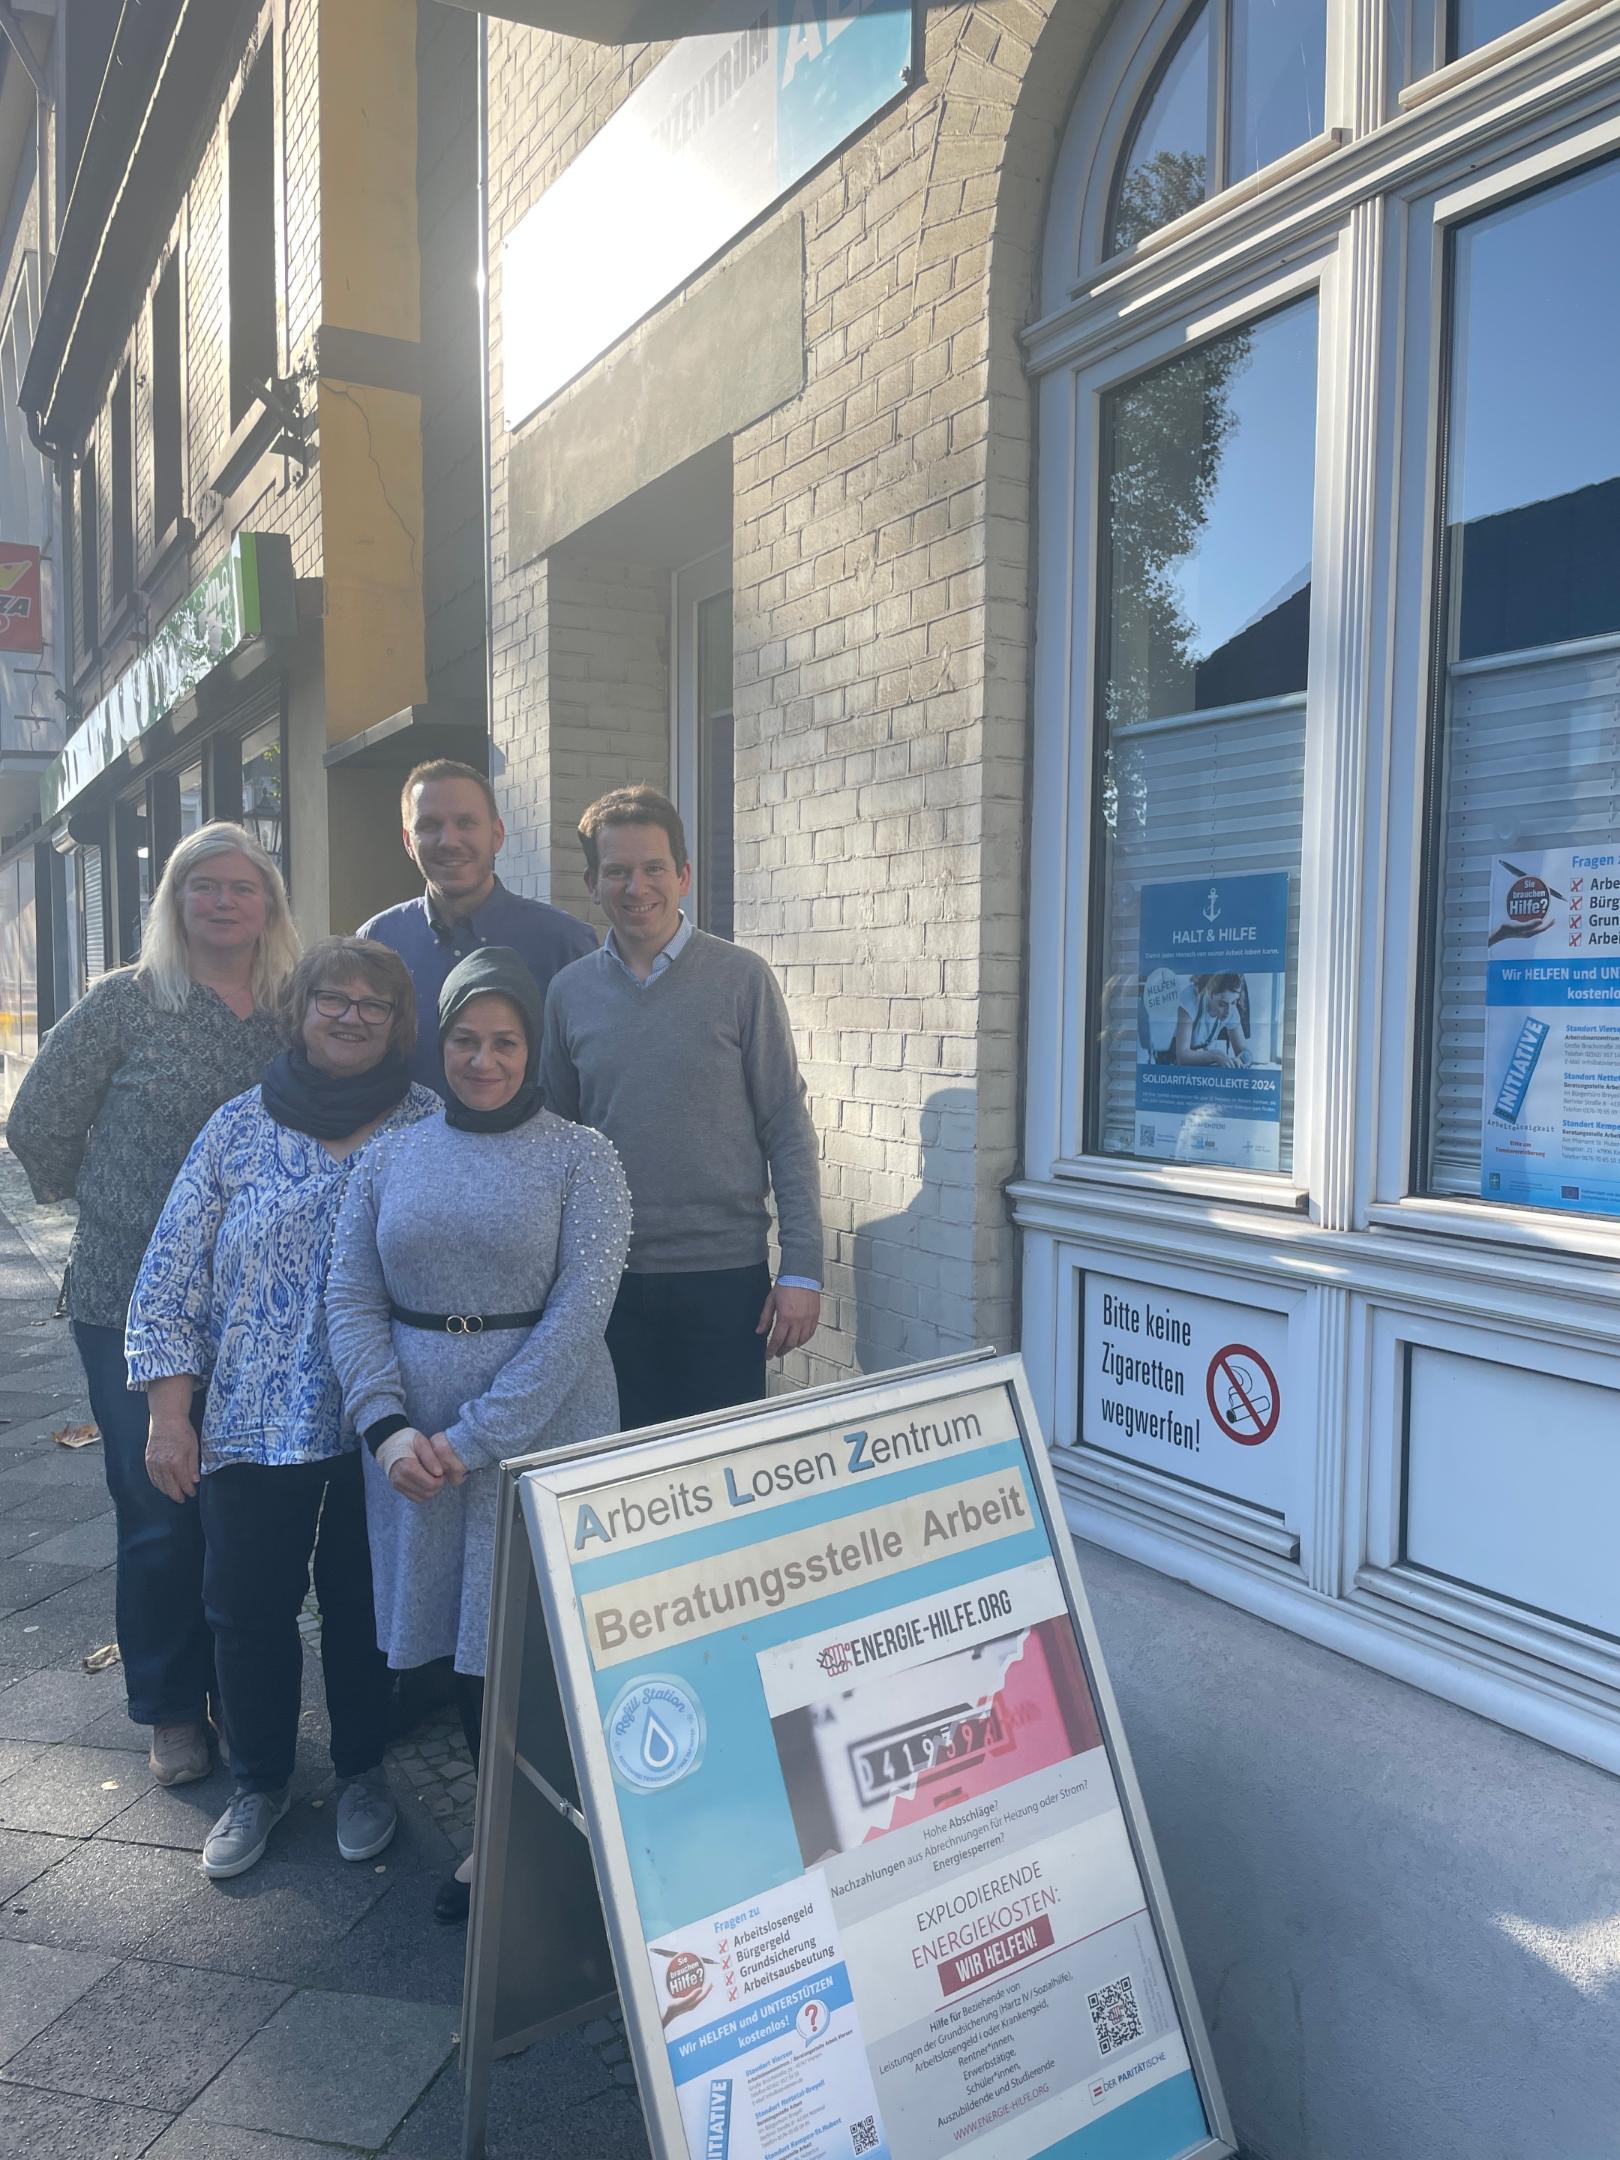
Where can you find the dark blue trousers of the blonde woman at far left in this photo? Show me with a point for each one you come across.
(163, 1634)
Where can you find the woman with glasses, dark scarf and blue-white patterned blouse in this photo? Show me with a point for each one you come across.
(232, 1299)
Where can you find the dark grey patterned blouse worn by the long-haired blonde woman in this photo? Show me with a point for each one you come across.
(109, 1113)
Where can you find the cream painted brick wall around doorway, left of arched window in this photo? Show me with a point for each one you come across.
(882, 627)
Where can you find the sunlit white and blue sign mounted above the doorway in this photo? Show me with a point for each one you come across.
(725, 126)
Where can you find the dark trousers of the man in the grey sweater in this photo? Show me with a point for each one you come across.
(684, 1345)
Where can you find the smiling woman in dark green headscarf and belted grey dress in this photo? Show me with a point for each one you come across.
(472, 1280)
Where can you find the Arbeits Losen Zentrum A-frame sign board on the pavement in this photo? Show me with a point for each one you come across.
(841, 1729)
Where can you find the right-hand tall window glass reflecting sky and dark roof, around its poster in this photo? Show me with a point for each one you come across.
(1533, 694)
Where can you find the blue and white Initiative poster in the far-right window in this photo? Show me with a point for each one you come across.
(1552, 1083)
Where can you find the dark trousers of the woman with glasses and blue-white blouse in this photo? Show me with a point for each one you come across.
(262, 1522)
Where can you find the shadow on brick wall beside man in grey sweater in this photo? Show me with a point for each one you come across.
(915, 1269)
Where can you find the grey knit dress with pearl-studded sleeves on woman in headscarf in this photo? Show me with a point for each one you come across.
(446, 1221)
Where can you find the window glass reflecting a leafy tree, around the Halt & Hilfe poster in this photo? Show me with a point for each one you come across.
(1206, 599)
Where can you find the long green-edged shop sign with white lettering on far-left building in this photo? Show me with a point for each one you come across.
(211, 623)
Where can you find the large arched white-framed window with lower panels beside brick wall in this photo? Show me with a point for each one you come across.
(1325, 837)
